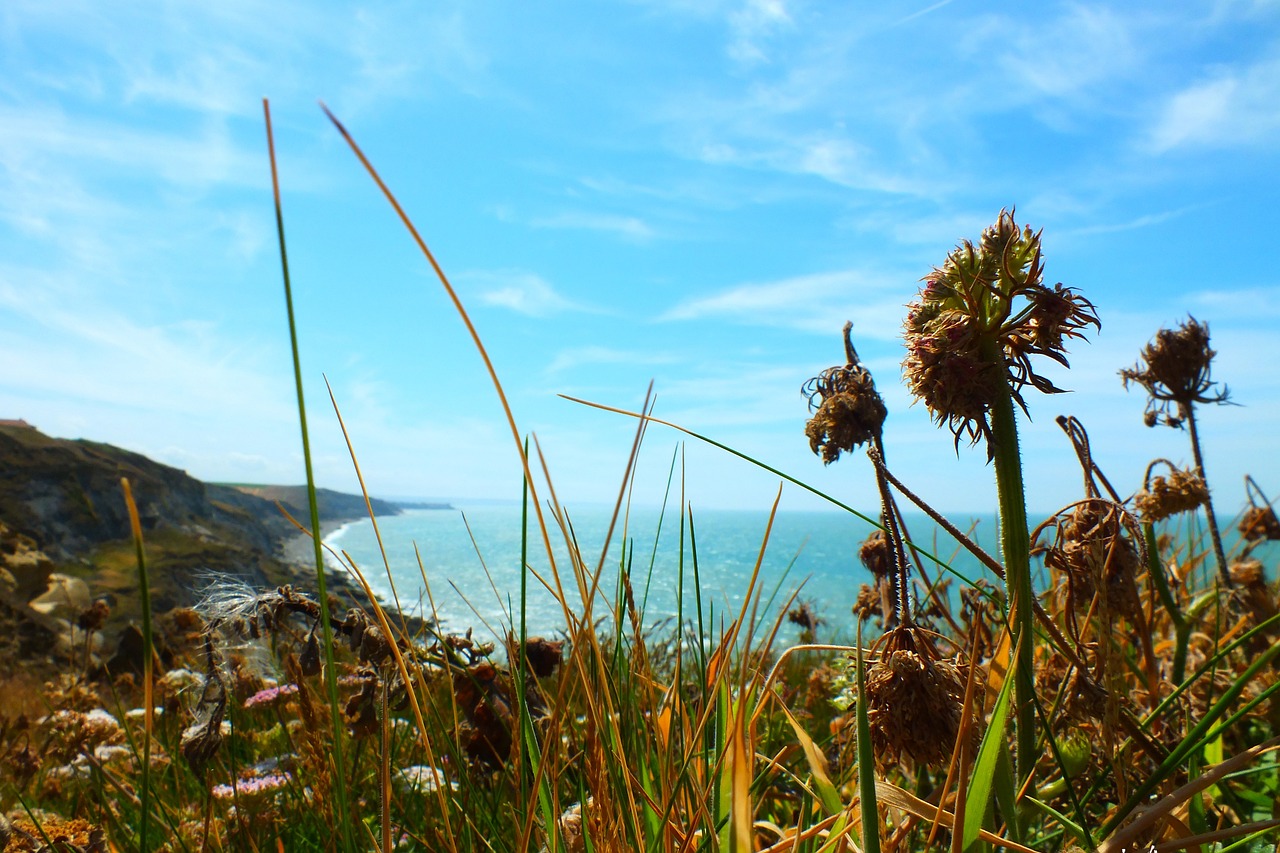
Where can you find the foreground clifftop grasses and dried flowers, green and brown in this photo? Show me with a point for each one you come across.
(1121, 699)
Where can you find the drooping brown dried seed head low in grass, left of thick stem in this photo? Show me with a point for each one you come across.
(915, 703)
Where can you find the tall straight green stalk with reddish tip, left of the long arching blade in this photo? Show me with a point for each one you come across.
(331, 672)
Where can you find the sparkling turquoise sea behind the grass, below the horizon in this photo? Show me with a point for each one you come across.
(465, 568)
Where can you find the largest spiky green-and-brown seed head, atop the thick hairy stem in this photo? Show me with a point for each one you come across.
(980, 320)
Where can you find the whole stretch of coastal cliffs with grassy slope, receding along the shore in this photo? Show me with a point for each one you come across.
(63, 513)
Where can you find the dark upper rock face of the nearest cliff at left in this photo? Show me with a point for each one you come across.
(67, 496)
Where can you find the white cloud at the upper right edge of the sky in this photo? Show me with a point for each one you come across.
(1235, 108)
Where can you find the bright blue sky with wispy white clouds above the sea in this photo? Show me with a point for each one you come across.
(689, 191)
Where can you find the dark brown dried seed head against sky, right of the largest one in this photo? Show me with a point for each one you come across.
(1176, 372)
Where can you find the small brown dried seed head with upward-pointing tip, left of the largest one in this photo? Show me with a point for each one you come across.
(849, 409)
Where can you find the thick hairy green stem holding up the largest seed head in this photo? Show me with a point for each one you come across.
(1016, 551)
